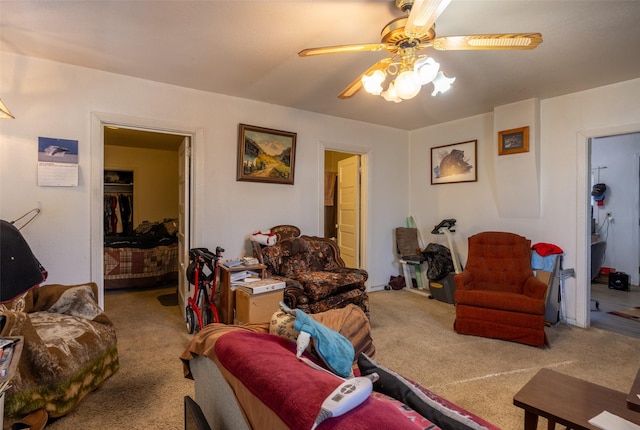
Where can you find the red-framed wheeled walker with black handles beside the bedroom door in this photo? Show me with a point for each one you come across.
(202, 273)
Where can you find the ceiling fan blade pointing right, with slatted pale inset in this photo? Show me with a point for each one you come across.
(488, 41)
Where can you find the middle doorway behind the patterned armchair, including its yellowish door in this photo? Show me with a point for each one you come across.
(345, 204)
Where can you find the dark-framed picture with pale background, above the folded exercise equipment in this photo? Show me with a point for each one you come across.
(453, 163)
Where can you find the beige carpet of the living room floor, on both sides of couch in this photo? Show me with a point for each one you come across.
(413, 335)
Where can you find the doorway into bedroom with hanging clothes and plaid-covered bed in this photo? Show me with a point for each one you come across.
(141, 210)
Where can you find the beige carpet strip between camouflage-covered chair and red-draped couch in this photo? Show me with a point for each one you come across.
(148, 390)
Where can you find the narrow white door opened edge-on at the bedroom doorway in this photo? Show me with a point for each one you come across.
(184, 157)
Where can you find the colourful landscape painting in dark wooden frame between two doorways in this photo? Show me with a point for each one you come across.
(265, 155)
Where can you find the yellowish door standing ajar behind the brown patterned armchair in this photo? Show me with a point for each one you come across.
(349, 210)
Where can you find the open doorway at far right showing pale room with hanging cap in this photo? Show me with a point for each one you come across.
(614, 240)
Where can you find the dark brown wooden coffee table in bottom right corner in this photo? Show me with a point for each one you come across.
(569, 401)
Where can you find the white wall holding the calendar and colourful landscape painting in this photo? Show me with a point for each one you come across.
(57, 100)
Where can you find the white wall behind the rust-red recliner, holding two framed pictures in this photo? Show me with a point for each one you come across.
(566, 123)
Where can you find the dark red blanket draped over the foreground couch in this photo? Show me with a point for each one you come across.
(267, 367)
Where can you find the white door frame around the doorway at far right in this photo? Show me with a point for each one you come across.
(583, 218)
